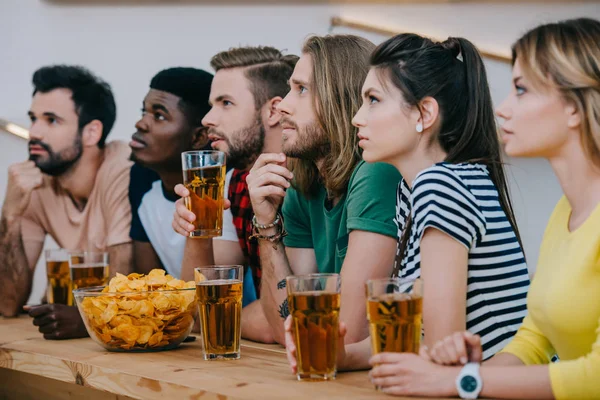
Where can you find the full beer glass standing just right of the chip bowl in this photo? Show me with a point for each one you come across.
(219, 292)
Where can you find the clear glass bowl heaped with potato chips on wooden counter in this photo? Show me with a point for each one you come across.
(139, 312)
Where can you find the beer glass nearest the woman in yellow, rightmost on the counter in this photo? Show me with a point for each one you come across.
(394, 310)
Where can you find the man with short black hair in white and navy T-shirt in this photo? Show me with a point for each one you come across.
(171, 123)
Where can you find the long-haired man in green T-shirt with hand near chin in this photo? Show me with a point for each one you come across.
(339, 211)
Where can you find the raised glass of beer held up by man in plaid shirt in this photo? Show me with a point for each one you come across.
(204, 176)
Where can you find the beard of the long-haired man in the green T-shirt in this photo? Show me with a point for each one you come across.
(311, 144)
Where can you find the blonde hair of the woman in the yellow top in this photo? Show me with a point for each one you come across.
(566, 56)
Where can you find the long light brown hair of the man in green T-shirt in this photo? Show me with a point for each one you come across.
(340, 66)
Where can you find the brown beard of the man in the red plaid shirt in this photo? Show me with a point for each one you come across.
(245, 145)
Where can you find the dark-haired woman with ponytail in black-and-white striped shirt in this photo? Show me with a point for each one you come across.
(427, 110)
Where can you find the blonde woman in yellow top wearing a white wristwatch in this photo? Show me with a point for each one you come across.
(552, 112)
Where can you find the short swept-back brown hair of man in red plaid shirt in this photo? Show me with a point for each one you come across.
(267, 69)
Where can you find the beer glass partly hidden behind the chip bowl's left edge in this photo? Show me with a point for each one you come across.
(88, 268)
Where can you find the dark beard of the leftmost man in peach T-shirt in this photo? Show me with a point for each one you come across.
(57, 163)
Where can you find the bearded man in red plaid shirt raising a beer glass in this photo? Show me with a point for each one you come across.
(243, 122)
